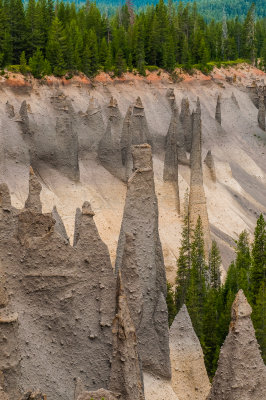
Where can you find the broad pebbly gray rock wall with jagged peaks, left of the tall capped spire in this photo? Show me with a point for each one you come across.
(64, 303)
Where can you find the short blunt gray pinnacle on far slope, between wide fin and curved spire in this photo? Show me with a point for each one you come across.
(89, 138)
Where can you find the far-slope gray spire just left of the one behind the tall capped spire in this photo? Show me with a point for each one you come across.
(109, 152)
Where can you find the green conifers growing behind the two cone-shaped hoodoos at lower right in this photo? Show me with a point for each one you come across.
(198, 285)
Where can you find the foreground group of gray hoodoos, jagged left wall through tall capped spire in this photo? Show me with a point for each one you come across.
(100, 327)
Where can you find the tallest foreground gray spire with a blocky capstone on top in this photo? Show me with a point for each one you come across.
(147, 282)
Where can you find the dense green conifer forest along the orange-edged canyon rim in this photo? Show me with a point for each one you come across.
(46, 37)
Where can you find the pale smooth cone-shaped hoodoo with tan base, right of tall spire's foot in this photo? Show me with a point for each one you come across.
(189, 375)
